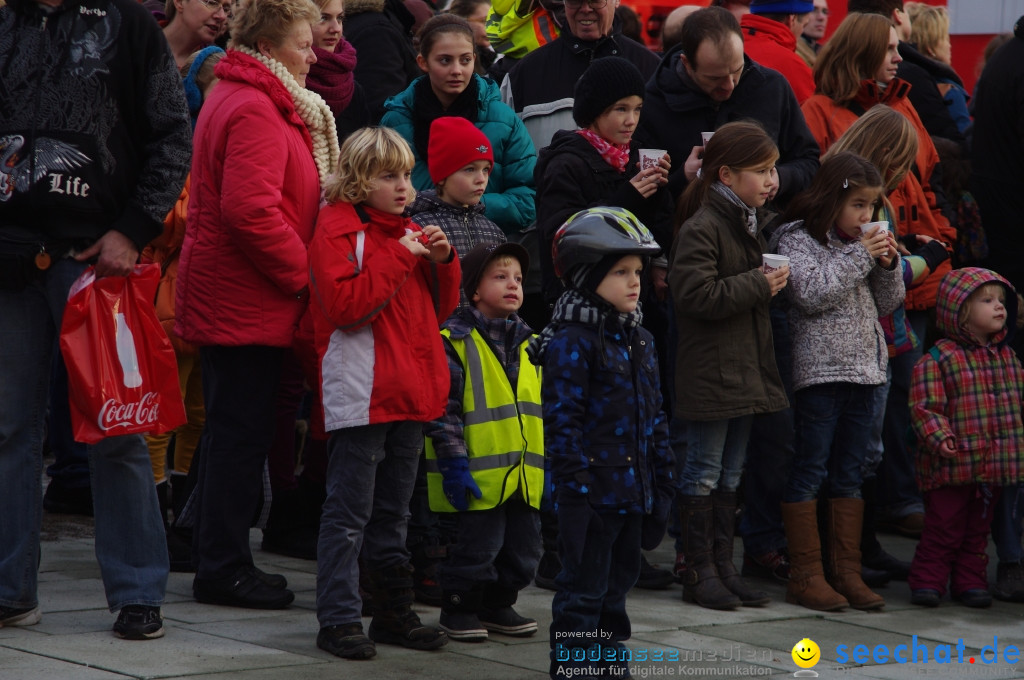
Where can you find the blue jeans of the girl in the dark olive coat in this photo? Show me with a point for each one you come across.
(715, 454)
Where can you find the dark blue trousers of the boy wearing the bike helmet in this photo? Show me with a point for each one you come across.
(601, 556)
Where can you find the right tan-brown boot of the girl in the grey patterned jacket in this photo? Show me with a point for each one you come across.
(845, 519)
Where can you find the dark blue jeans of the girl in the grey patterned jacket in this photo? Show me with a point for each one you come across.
(834, 436)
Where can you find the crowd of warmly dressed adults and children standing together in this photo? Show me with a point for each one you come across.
(467, 299)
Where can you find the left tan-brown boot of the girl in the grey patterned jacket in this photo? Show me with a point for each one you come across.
(807, 585)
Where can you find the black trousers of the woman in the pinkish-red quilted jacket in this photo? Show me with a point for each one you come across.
(239, 386)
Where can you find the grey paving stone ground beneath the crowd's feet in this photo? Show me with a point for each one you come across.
(670, 640)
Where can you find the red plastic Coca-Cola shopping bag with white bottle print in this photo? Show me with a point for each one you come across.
(122, 375)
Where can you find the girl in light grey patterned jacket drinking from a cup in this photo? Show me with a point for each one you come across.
(843, 279)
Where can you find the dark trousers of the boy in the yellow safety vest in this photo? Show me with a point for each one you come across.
(501, 545)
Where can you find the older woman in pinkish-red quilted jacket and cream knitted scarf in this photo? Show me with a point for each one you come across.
(264, 145)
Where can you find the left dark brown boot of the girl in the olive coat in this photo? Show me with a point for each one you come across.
(701, 582)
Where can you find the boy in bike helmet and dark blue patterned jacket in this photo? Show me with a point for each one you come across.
(606, 437)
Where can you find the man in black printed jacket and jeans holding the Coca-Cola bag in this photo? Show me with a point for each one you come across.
(95, 148)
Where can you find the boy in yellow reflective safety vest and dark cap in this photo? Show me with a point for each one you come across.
(486, 455)
